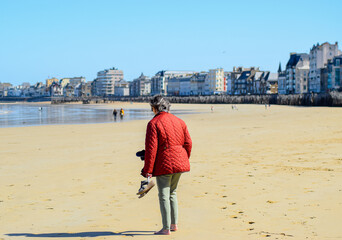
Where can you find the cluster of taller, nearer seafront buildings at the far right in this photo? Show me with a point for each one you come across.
(317, 71)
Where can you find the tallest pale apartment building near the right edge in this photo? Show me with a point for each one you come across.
(319, 56)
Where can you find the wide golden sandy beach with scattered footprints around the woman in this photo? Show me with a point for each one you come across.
(255, 174)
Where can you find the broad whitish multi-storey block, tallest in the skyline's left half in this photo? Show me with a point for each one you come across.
(104, 84)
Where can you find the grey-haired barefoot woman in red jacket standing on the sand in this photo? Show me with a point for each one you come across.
(168, 147)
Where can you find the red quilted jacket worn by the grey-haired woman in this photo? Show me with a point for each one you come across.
(167, 145)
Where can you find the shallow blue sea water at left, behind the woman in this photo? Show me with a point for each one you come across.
(21, 115)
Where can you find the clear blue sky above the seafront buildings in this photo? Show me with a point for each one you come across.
(47, 38)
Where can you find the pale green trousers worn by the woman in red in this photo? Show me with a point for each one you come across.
(167, 185)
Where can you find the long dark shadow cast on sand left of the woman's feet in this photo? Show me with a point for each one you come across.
(83, 234)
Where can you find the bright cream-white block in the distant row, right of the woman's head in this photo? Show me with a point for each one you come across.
(215, 81)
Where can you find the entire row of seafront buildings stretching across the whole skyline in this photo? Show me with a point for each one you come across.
(317, 71)
